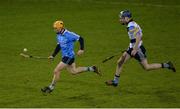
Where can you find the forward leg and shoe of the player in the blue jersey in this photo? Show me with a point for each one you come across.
(57, 72)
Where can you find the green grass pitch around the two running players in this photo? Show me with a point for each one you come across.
(28, 24)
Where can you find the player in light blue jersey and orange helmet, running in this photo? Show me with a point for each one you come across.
(66, 40)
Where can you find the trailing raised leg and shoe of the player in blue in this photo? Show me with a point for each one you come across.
(76, 70)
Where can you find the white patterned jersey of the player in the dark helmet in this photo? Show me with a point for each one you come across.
(133, 29)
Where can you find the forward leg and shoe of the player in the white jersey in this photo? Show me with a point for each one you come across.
(124, 58)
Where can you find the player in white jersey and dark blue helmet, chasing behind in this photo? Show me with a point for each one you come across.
(136, 49)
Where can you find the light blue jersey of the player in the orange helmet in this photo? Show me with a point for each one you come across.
(66, 41)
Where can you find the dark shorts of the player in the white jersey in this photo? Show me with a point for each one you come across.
(140, 55)
